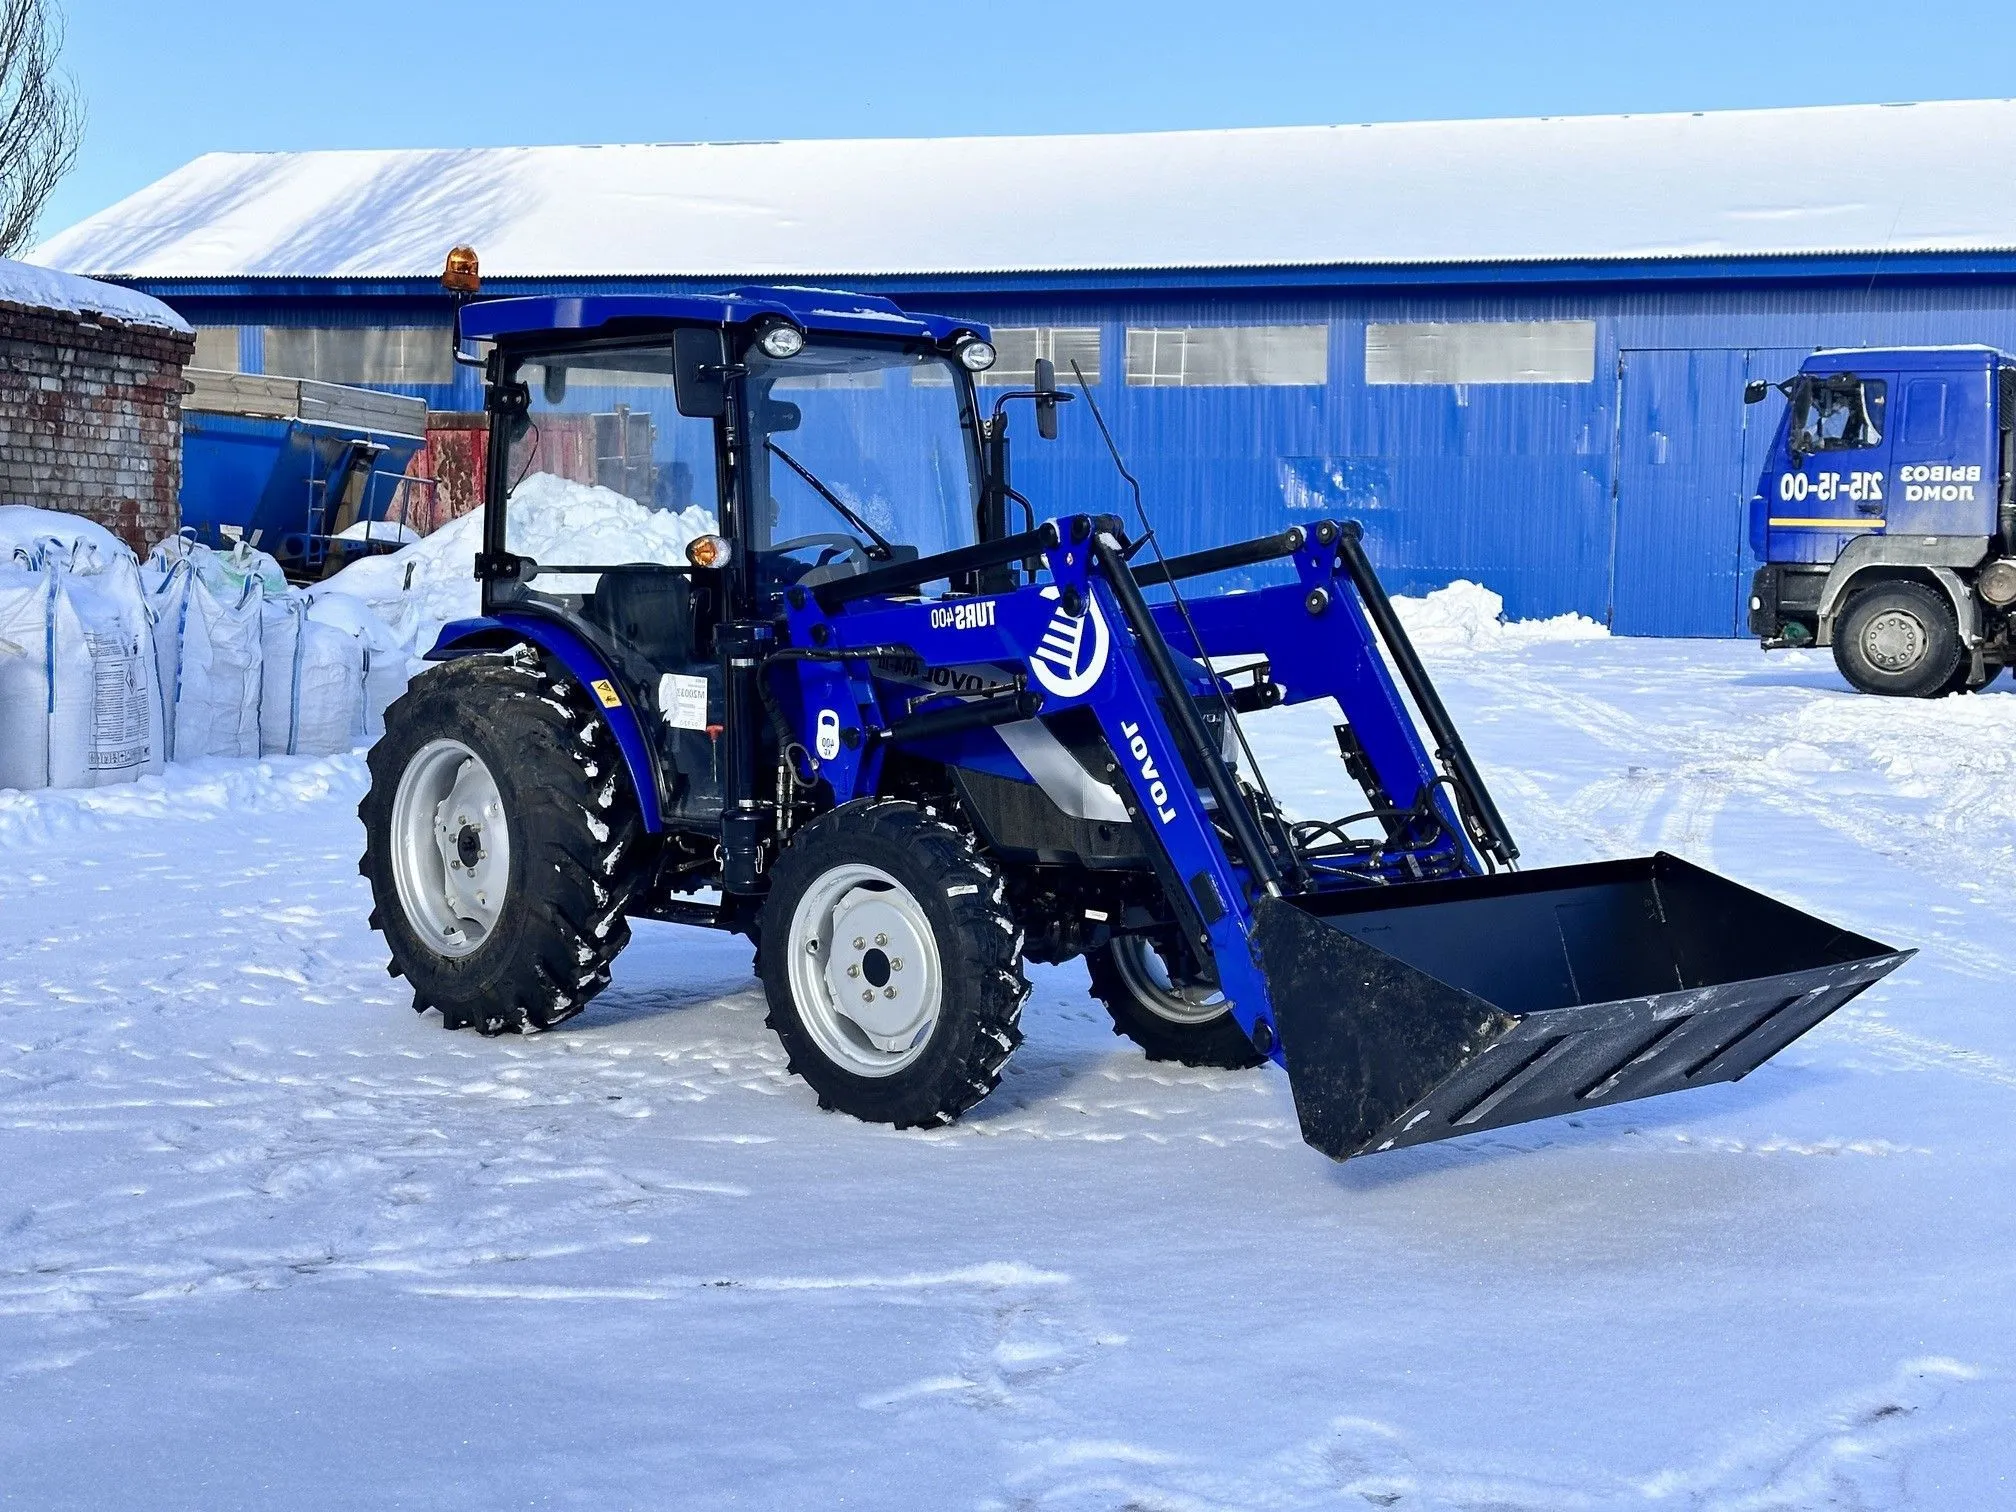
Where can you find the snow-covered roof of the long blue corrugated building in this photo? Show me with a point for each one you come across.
(1852, 178)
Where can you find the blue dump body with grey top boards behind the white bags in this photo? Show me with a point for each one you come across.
(297, 469)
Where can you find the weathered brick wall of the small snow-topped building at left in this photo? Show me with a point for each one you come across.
(92, 420)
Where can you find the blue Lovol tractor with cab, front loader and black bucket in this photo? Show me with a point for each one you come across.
(908, 733)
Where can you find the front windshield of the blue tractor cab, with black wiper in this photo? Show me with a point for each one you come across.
(860, 445)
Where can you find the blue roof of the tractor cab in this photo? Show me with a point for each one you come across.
(815, 309)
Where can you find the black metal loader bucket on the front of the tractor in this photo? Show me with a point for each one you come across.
(1438, 1009)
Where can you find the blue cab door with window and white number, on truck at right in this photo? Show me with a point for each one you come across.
(1830, 477)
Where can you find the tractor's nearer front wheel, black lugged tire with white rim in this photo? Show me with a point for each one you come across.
(892, 965)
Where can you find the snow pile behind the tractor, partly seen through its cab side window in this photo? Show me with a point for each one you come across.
(424, 586)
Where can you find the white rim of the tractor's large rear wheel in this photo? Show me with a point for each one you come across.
(451, 848)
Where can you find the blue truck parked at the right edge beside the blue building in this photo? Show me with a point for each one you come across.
(1886, 517)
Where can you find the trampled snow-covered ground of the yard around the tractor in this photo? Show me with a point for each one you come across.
(271, 1241)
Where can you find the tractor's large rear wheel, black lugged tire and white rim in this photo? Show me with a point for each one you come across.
(503, 844)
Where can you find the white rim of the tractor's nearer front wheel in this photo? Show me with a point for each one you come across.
(866, 971)
